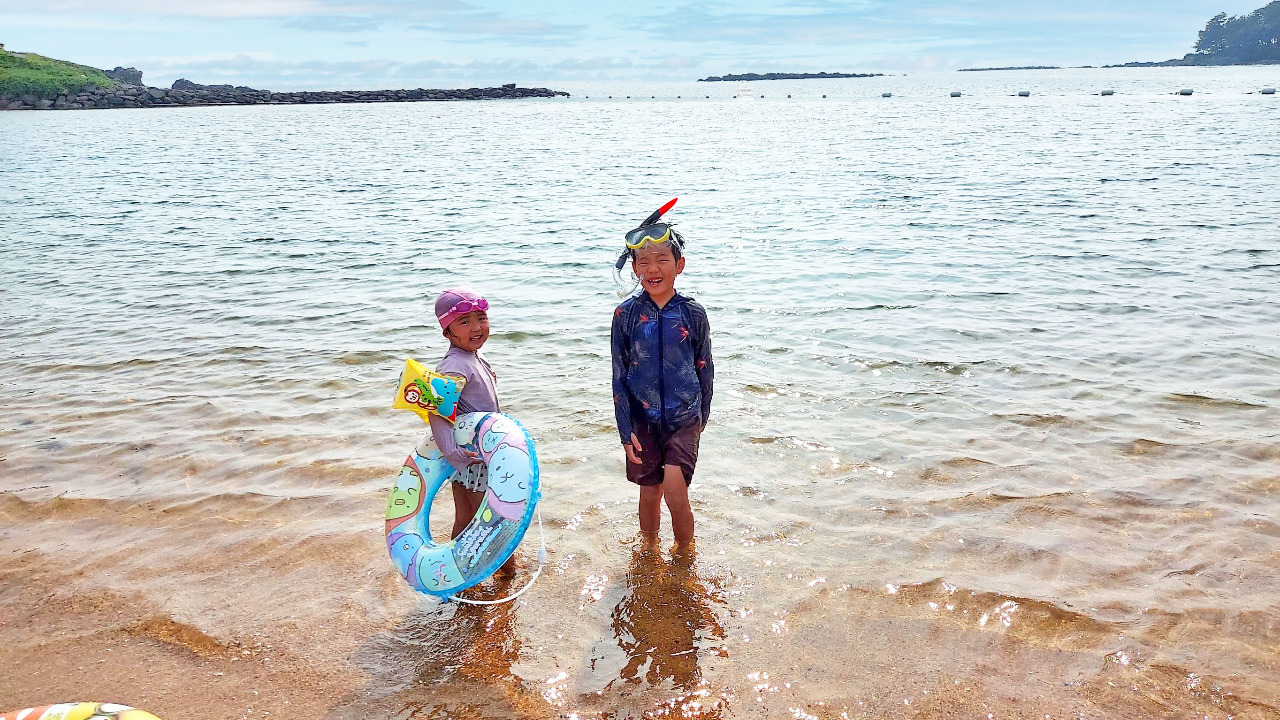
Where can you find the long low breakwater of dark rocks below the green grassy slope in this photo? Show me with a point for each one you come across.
(190, 94)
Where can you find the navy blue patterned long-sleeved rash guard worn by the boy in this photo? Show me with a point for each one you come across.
(662, 364)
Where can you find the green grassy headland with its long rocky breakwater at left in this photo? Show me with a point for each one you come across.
(35, 83)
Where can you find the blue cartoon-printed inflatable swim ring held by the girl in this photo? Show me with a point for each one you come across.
(500, 525)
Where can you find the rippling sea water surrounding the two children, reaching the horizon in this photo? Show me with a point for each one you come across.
(996, 411)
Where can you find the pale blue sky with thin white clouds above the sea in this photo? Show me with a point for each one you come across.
(387, 44)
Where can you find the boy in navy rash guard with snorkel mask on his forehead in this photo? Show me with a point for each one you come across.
(662, 380)
